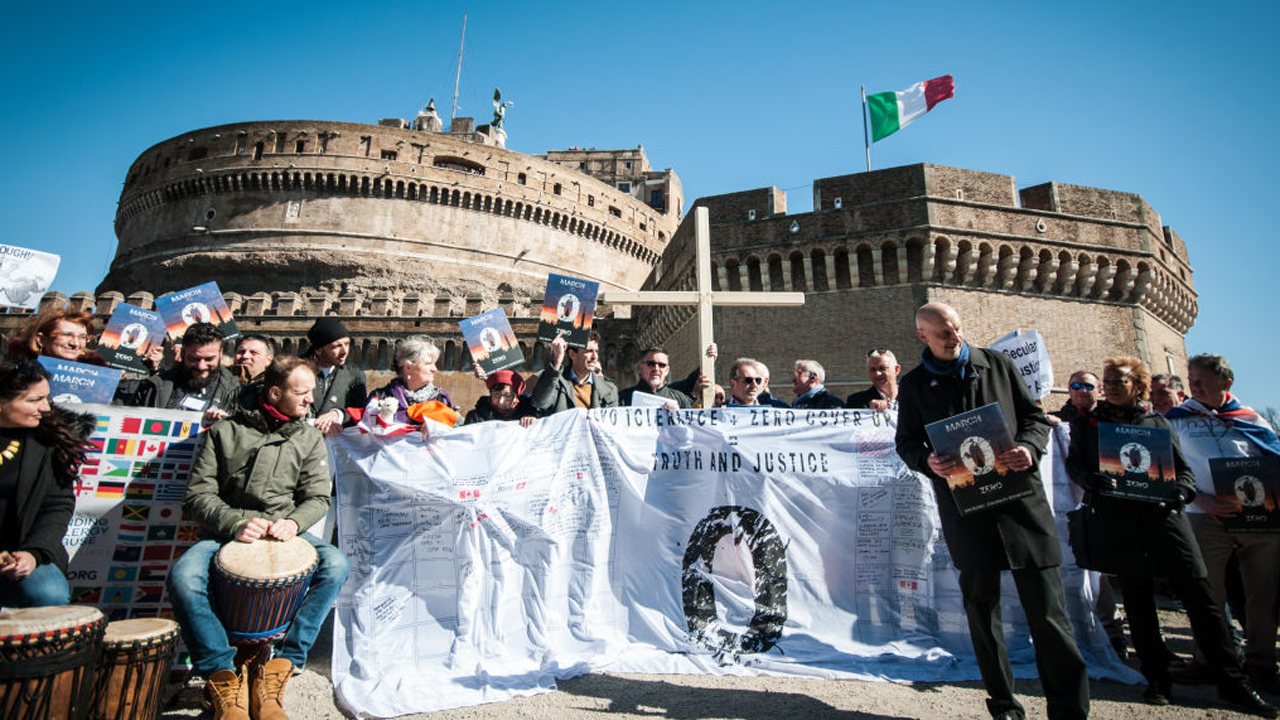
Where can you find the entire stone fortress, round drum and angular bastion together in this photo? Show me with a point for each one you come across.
(405, 227)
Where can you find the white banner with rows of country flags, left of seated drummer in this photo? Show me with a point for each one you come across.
(129, 527)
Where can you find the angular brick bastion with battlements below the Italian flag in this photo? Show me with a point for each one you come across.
(1094, 271)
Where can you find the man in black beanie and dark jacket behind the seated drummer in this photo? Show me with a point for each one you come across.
(339, 385)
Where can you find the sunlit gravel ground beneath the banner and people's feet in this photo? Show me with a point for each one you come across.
(310, 696)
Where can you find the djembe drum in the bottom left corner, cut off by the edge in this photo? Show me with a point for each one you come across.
(47, 662)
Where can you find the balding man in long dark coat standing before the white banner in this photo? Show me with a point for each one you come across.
(1016, 536)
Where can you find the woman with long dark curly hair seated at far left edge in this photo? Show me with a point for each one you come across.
(42, 449)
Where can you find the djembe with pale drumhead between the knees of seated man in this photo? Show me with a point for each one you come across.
(258, 587)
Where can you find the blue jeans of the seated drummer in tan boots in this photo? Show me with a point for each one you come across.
(203, 631)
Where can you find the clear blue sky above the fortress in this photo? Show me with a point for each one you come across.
(1172, 101)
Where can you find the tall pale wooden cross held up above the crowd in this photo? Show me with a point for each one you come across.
(705, 299)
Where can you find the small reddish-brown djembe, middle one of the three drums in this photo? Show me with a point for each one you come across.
(136, 660)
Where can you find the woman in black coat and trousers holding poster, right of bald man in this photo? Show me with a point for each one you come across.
(1154, 539)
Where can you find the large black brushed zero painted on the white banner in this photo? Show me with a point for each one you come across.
(769, 555)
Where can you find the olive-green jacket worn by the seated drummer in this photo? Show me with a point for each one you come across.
(244, 471)
